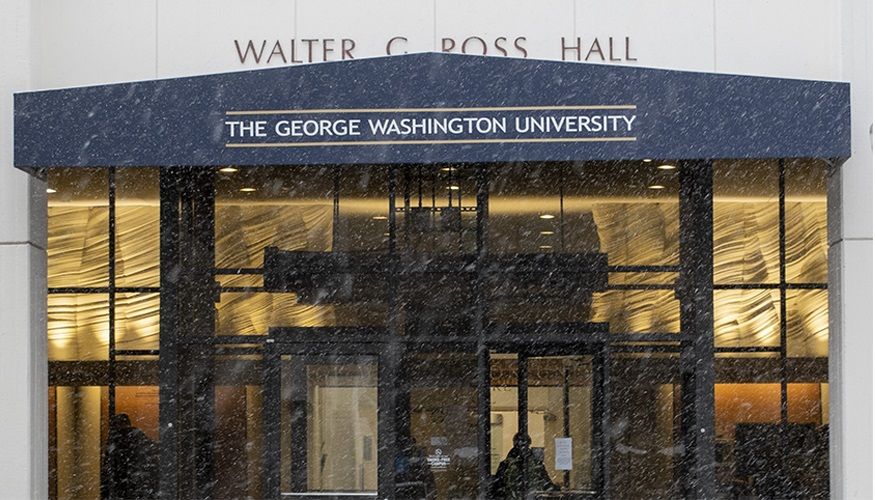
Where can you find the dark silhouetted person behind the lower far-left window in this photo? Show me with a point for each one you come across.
(128, 464)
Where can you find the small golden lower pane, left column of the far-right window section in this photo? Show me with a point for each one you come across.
(747, 318)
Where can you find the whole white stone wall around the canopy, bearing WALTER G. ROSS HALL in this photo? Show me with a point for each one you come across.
(59, 43)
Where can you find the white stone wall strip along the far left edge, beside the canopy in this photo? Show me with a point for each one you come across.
(23, 369)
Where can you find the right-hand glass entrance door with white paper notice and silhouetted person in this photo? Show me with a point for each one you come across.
(546, 414)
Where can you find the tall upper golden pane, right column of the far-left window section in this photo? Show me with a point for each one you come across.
(137, 216)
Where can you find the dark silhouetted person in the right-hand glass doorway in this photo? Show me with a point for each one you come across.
(508, 481)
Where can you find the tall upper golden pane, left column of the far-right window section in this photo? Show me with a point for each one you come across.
(746, 223)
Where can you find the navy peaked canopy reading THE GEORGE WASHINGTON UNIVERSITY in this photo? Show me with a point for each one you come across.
(431, 107)
